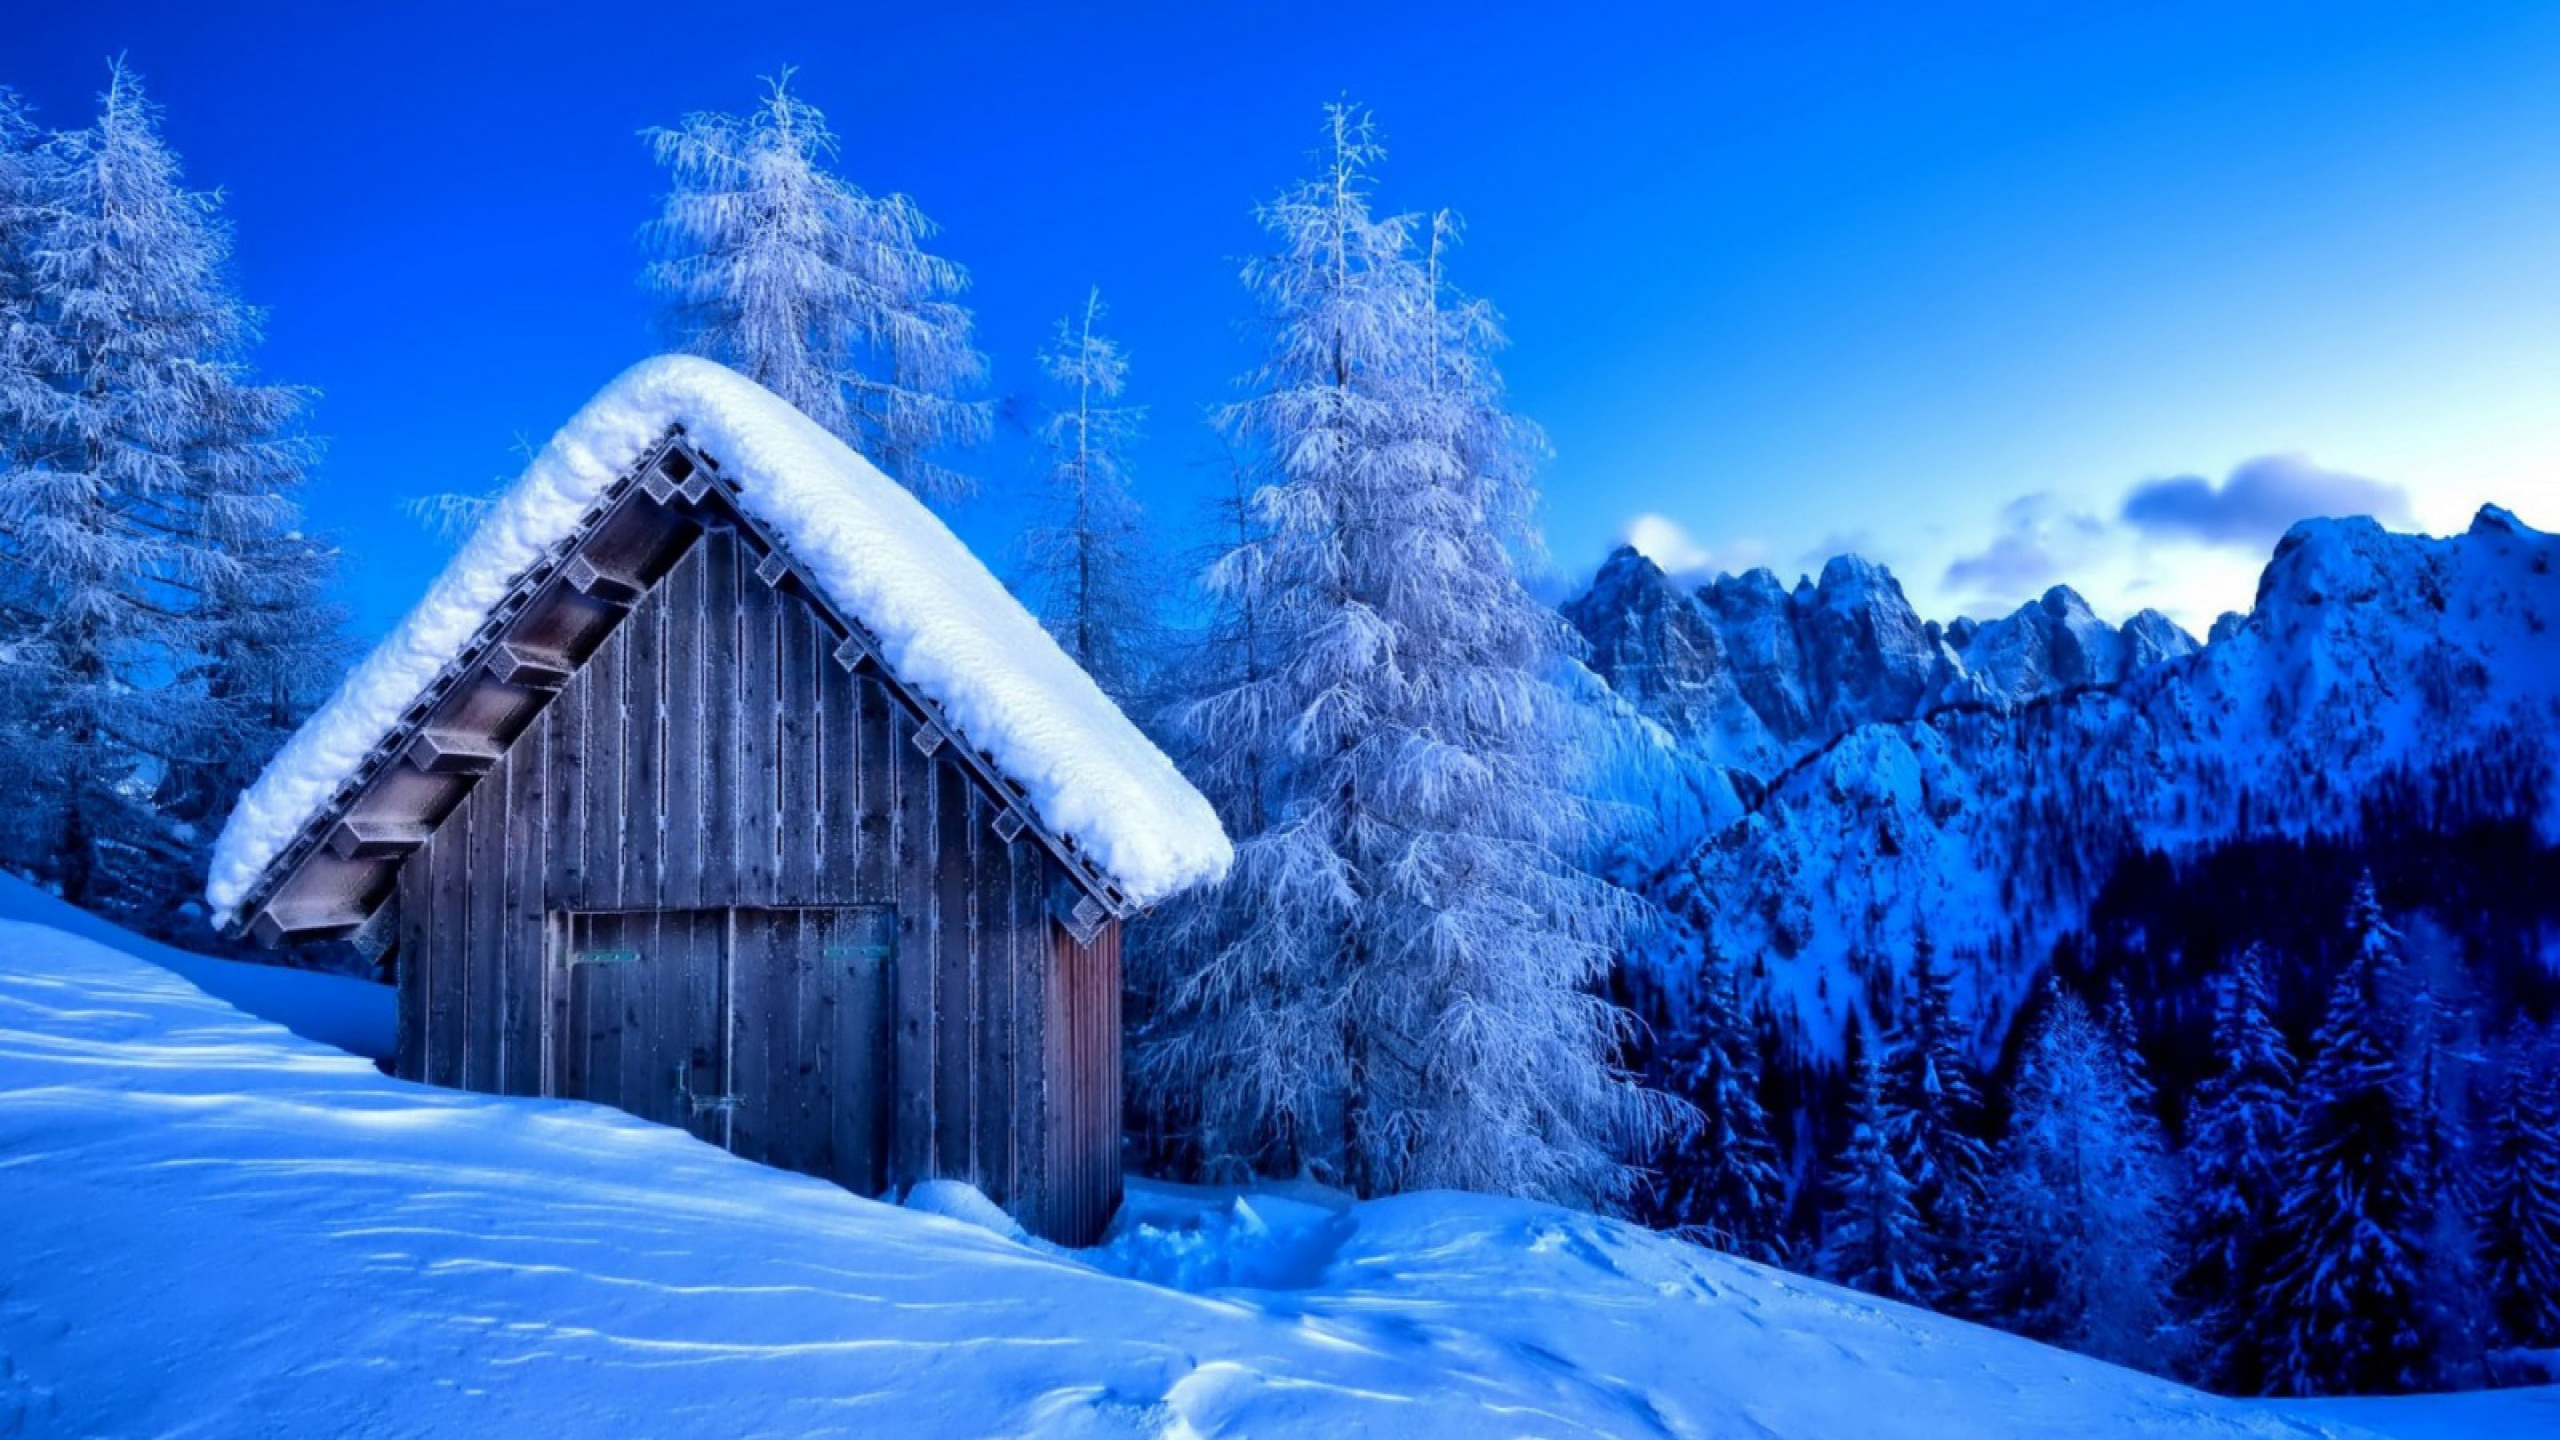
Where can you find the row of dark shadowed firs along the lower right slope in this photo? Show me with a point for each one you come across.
(2354, 1218)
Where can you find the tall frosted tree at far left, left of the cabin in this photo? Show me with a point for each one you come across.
(163, 611)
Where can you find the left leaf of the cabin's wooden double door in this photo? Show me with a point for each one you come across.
(644, 1016)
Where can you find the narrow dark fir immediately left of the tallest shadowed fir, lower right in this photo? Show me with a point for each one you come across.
(2234, 1177)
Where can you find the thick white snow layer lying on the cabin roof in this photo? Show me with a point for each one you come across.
(936, 621)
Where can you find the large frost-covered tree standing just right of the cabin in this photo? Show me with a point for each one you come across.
(1402, 988)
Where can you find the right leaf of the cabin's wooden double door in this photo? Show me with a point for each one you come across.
(810, 1003)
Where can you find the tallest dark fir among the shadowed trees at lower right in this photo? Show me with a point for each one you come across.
(2344, 1311)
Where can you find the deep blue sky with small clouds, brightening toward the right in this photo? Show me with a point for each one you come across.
(1993, 293)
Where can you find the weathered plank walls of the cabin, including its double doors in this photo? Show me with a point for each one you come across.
(723, 785)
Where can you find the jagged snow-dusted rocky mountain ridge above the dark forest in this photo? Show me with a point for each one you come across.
(1980, 783)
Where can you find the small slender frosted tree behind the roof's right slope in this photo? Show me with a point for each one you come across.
(1087, 557)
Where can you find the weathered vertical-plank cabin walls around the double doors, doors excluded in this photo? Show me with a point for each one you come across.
(716, 755)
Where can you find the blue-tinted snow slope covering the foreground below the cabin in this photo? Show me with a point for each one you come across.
(216, 1226)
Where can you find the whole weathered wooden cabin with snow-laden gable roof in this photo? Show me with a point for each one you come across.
(672, 829)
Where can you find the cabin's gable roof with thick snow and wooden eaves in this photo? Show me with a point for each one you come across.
(905, 591)
